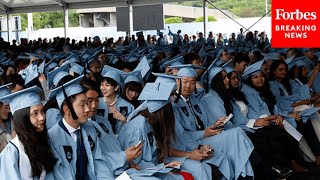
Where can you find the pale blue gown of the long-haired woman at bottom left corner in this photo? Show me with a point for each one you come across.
(9, 163)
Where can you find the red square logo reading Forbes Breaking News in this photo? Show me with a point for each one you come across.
(295, 23)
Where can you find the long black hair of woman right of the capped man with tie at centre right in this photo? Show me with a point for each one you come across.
(217, 84)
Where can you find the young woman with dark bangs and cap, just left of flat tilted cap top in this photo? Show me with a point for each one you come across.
(132, 89)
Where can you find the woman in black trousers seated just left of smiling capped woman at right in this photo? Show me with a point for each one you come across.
(275, 146)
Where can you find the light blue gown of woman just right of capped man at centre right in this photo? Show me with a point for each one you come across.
(215, 108)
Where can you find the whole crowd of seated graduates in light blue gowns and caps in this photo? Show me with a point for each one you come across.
(149, 109)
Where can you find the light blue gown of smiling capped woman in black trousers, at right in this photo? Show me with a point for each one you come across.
(258, 107)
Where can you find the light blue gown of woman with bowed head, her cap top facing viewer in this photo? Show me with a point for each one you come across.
(138, 129)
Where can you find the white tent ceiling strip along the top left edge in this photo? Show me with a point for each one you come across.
(25, 6)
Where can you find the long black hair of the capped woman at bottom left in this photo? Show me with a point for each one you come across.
(36, 143)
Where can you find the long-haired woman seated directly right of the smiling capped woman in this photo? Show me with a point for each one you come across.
(294, 104)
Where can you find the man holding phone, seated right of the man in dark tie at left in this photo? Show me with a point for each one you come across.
(118, 160)
